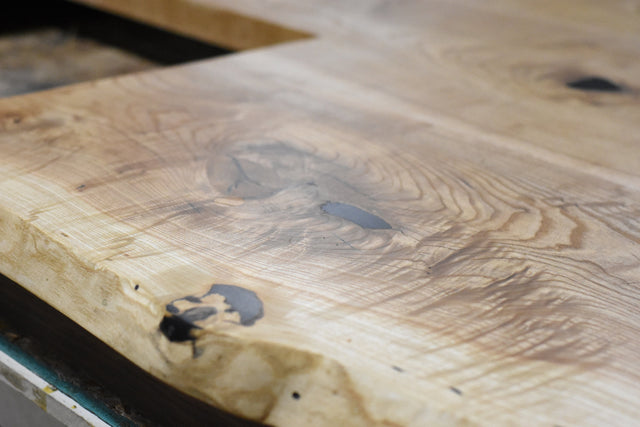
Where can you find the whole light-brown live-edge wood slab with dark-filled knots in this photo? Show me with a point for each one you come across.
(394, 213)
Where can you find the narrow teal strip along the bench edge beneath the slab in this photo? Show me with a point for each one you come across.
(49, 375)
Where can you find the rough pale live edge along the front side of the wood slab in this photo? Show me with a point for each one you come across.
(298, 383)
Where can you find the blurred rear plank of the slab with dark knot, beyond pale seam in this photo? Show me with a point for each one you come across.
(458, 59)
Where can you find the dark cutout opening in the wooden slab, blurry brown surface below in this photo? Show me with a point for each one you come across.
(51, 43)
